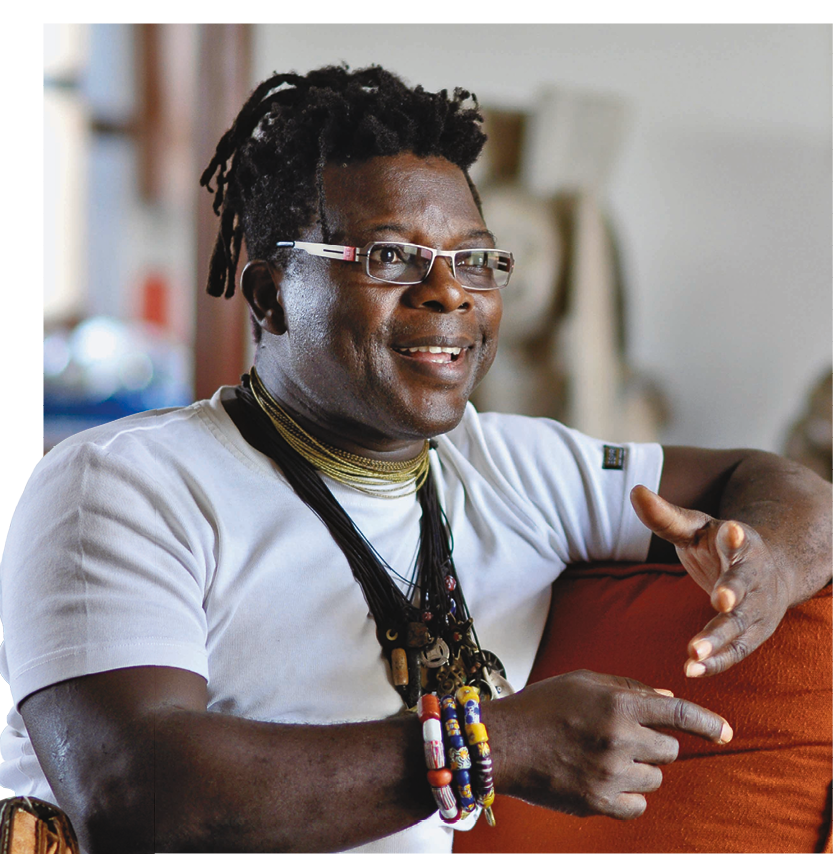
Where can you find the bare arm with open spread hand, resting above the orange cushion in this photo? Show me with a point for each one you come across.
(776, 552)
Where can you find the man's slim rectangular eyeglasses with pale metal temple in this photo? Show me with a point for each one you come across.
(410, 264)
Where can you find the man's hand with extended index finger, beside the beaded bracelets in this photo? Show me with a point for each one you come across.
(589, 744)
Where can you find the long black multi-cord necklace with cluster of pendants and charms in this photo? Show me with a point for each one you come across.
(428, 638)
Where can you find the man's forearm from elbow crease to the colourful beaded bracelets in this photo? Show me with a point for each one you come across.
(269, 787)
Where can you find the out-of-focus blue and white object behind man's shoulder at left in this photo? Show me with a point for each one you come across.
(104, 369)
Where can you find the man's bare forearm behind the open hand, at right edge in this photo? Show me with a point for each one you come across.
(791, 508)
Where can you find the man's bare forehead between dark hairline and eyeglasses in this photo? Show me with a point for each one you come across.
(418, 198)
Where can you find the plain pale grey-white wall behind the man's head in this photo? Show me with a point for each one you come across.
(723, 195)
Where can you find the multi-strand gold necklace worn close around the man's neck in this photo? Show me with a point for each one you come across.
(383, 479)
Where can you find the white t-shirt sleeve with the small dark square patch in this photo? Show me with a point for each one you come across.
(574, 488)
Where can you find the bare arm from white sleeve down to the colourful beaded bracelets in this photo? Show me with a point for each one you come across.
(139, 765)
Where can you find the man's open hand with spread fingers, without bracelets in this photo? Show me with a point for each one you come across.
(733, 564)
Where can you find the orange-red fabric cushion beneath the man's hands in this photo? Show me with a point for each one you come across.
(768, 790)
